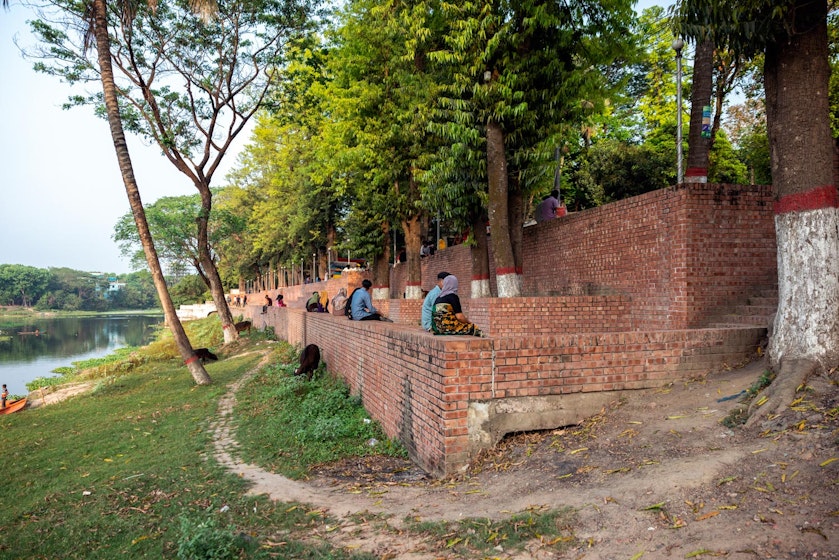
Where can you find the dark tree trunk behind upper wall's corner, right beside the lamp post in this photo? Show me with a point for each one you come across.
(700, 97)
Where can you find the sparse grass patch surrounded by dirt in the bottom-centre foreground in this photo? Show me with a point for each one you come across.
(480, 537)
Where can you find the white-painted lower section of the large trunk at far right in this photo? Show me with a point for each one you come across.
(806, 324)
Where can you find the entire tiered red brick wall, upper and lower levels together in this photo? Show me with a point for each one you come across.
(613, 296)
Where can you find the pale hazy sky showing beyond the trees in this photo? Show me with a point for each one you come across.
(61, 192)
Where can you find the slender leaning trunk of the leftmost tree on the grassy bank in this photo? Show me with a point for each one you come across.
(103, 46)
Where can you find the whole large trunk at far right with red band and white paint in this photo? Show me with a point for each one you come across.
(805, 337)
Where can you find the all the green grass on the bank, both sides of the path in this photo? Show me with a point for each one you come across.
(127, 471)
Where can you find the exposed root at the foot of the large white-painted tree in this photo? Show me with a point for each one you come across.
(770, 404)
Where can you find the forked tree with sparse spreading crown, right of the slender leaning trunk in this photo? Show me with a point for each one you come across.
(189, 82)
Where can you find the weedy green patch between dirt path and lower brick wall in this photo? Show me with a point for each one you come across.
(287, 423)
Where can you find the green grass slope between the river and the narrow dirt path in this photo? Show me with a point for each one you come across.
(127, 471)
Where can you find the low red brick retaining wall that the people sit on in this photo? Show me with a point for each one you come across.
(420, 386)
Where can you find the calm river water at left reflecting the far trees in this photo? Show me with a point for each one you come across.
(33, 347)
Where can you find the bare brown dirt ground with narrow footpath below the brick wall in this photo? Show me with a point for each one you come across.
(656, 475)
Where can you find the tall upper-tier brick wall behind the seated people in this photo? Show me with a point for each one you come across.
(677, 254)
